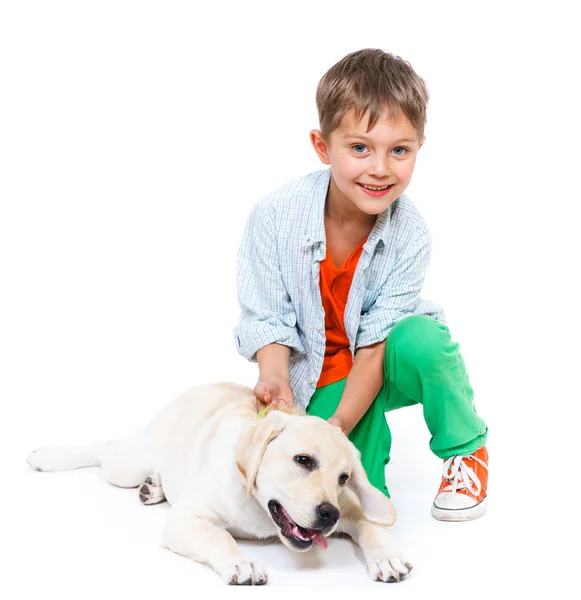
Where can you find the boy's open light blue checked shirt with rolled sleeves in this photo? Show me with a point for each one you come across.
(278, 278)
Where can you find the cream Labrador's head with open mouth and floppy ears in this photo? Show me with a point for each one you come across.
(298, 468)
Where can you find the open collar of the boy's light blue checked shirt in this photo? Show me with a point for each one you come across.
(315, 231)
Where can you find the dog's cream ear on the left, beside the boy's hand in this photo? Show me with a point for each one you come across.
(254, 443)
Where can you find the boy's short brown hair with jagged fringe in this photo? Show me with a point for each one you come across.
(369, 81)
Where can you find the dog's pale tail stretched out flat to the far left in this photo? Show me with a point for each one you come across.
(66, 458)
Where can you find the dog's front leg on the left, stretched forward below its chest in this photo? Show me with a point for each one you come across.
(188, 533)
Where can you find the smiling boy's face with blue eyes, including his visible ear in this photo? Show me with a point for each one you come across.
(381, 158)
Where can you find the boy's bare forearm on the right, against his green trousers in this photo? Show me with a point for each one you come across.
(362, 386)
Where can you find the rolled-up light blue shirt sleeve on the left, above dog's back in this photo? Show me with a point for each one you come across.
(267, 314)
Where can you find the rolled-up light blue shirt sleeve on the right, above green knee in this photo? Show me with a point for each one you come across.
(399, 296)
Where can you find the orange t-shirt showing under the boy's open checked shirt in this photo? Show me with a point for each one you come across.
(335, 284)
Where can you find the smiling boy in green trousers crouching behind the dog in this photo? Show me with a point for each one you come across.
(329, 275)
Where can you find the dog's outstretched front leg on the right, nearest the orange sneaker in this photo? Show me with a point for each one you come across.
(383, 561)
